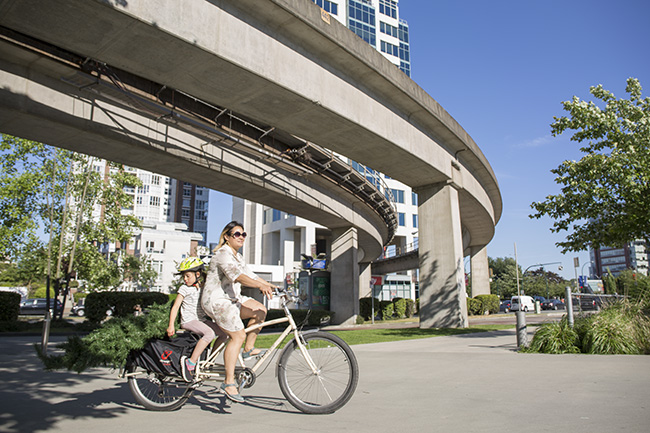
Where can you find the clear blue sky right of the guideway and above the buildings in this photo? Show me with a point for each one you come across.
(501, 69)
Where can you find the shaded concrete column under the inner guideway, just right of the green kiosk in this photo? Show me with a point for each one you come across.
(344, 282)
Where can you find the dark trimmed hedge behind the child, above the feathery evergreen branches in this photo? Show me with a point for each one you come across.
(122, 303)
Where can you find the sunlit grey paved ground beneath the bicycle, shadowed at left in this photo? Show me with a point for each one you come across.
(467, 383)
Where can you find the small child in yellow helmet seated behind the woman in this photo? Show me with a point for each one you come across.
(193, 318)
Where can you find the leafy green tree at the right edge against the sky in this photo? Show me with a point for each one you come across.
(605, 196)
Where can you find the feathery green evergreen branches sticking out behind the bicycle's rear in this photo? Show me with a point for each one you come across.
(110, 344)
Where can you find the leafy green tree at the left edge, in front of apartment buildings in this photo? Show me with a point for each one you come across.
(61, 190)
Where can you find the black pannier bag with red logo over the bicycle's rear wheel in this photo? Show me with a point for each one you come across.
(164, 356)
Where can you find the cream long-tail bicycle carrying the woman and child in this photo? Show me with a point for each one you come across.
(317, 371)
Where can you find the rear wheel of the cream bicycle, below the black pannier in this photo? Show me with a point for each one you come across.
(156, 391)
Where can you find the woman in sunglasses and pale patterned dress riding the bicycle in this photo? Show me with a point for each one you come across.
(223, 302)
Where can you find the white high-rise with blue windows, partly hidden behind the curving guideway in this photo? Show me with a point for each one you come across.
(276, 239)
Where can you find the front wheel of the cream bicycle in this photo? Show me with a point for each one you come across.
(330, 386)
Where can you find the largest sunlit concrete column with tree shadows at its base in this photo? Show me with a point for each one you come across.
(443, 301)
